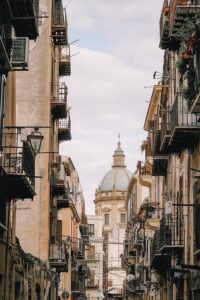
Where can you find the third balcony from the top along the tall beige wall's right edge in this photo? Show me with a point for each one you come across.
(59, 101)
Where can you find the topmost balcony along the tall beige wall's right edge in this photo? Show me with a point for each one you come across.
(59, 24)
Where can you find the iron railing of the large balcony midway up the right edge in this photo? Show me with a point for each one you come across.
(180, 114)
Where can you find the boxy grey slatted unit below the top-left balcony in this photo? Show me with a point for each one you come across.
(19, 53)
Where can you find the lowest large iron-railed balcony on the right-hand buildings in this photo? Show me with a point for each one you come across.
(171, 235)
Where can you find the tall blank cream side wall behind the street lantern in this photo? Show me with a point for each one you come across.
(33, 109)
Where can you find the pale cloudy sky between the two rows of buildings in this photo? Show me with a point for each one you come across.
(111, 82)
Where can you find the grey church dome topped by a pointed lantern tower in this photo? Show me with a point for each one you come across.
(118, 177)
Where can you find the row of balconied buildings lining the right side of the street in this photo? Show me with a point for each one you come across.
(172, 122)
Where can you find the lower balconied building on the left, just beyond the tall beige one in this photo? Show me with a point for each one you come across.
(72, 230)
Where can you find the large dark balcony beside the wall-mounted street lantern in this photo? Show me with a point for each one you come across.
(18, 163)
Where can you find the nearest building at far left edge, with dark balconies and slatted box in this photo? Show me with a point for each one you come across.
(18, 29)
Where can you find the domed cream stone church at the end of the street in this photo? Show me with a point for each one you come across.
(109, 203)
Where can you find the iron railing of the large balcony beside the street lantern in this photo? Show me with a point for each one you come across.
(18, 157)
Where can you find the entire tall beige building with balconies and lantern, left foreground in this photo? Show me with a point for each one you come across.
(34, 119)
